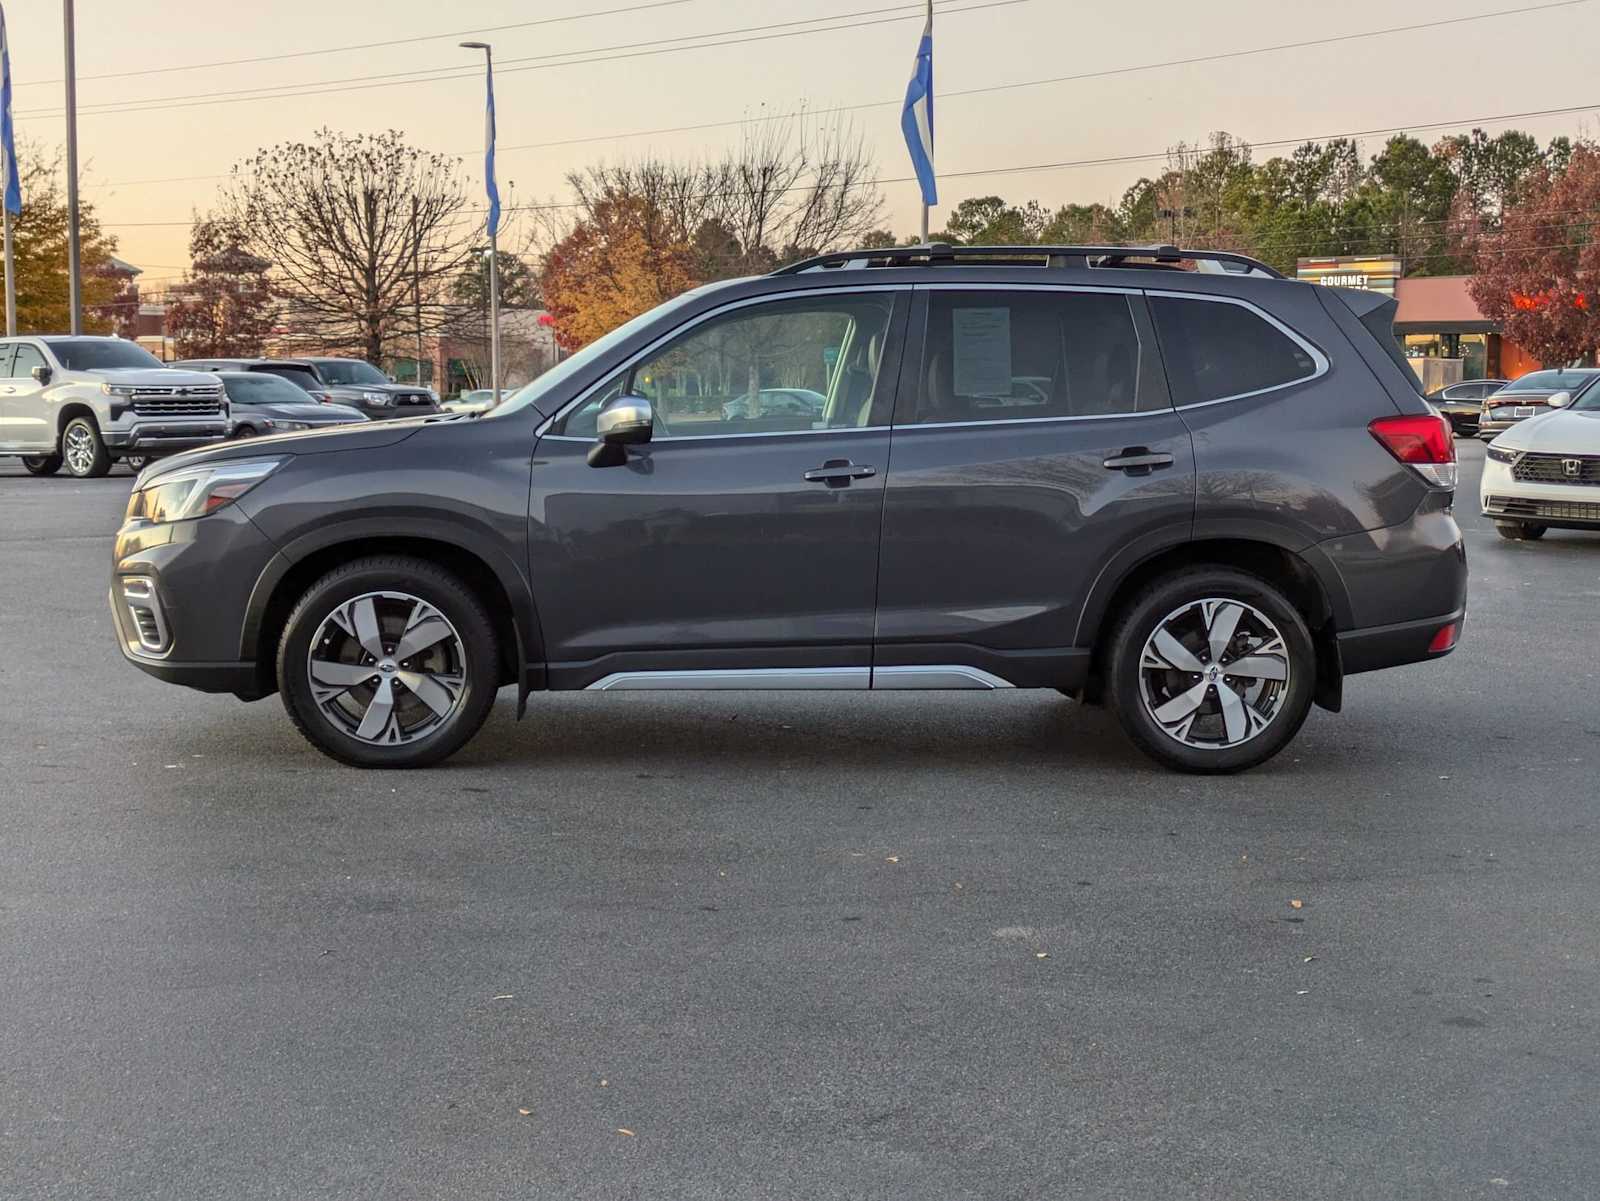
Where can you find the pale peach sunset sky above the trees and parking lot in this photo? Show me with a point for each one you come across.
(154, 162)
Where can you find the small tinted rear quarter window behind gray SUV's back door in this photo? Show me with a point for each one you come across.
(1215, 351)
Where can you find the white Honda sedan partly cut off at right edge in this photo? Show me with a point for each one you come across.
(1546, 471)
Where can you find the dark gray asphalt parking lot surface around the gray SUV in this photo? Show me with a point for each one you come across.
(793, 946)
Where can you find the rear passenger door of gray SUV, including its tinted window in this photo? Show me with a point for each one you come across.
(1034, 445)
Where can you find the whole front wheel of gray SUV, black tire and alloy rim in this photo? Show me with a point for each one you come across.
(390, 663)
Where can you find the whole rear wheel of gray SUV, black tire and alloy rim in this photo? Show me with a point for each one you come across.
(1169, 671)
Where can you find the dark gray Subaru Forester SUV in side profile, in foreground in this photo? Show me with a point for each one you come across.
(1172, 482)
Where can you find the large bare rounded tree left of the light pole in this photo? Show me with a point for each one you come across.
(356, 226)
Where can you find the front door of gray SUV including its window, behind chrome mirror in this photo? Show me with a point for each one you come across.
(740, 546)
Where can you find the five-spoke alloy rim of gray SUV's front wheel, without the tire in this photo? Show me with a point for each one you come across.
(388, 669)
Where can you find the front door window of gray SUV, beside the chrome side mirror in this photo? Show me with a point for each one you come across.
(772, 369)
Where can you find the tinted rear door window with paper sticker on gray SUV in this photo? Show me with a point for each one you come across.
(998, 356)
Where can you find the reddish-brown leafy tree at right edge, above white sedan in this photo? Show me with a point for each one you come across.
(1540, 274)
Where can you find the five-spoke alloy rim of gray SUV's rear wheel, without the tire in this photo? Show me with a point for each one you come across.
(1215, 674)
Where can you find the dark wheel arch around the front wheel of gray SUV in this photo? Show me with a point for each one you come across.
(287, 580)
